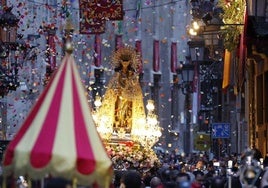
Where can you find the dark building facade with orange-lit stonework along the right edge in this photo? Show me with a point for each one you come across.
(256, 69)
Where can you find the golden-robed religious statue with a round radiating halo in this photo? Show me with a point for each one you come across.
(123, 99)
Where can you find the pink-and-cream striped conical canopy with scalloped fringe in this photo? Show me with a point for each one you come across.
(59, 137)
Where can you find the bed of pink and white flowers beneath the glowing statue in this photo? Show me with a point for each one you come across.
(130, 155)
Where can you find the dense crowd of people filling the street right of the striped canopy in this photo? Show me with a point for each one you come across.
(198, 171)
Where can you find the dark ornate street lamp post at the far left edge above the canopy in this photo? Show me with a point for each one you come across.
(9, 60)
